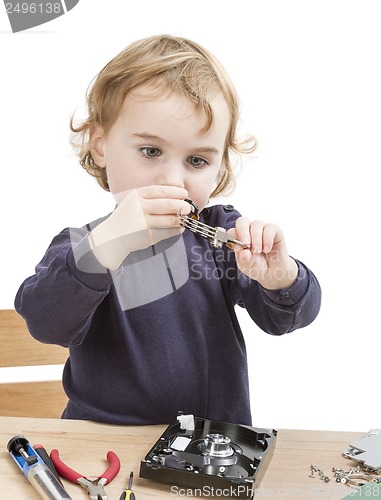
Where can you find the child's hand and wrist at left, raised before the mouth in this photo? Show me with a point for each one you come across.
(143, 217)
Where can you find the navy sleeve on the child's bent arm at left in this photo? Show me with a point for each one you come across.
(68, 275)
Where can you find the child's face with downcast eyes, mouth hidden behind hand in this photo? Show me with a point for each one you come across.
(158, 141)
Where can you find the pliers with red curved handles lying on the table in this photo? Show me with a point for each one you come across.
(95, 485)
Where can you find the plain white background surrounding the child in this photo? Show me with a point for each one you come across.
(308, 74)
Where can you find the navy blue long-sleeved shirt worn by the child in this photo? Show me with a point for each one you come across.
(159, 335)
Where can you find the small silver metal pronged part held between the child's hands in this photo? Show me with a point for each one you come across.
(217, 236)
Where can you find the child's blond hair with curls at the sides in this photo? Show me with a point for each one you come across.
(171, 64)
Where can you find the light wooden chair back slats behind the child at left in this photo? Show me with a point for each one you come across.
(18, 348)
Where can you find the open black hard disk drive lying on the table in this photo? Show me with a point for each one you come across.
(217, 458)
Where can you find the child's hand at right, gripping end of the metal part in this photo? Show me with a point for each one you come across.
(267, 261)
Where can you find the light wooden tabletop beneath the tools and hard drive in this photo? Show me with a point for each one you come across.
(83, 446)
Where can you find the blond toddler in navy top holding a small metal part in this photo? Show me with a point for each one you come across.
(145, 306)
